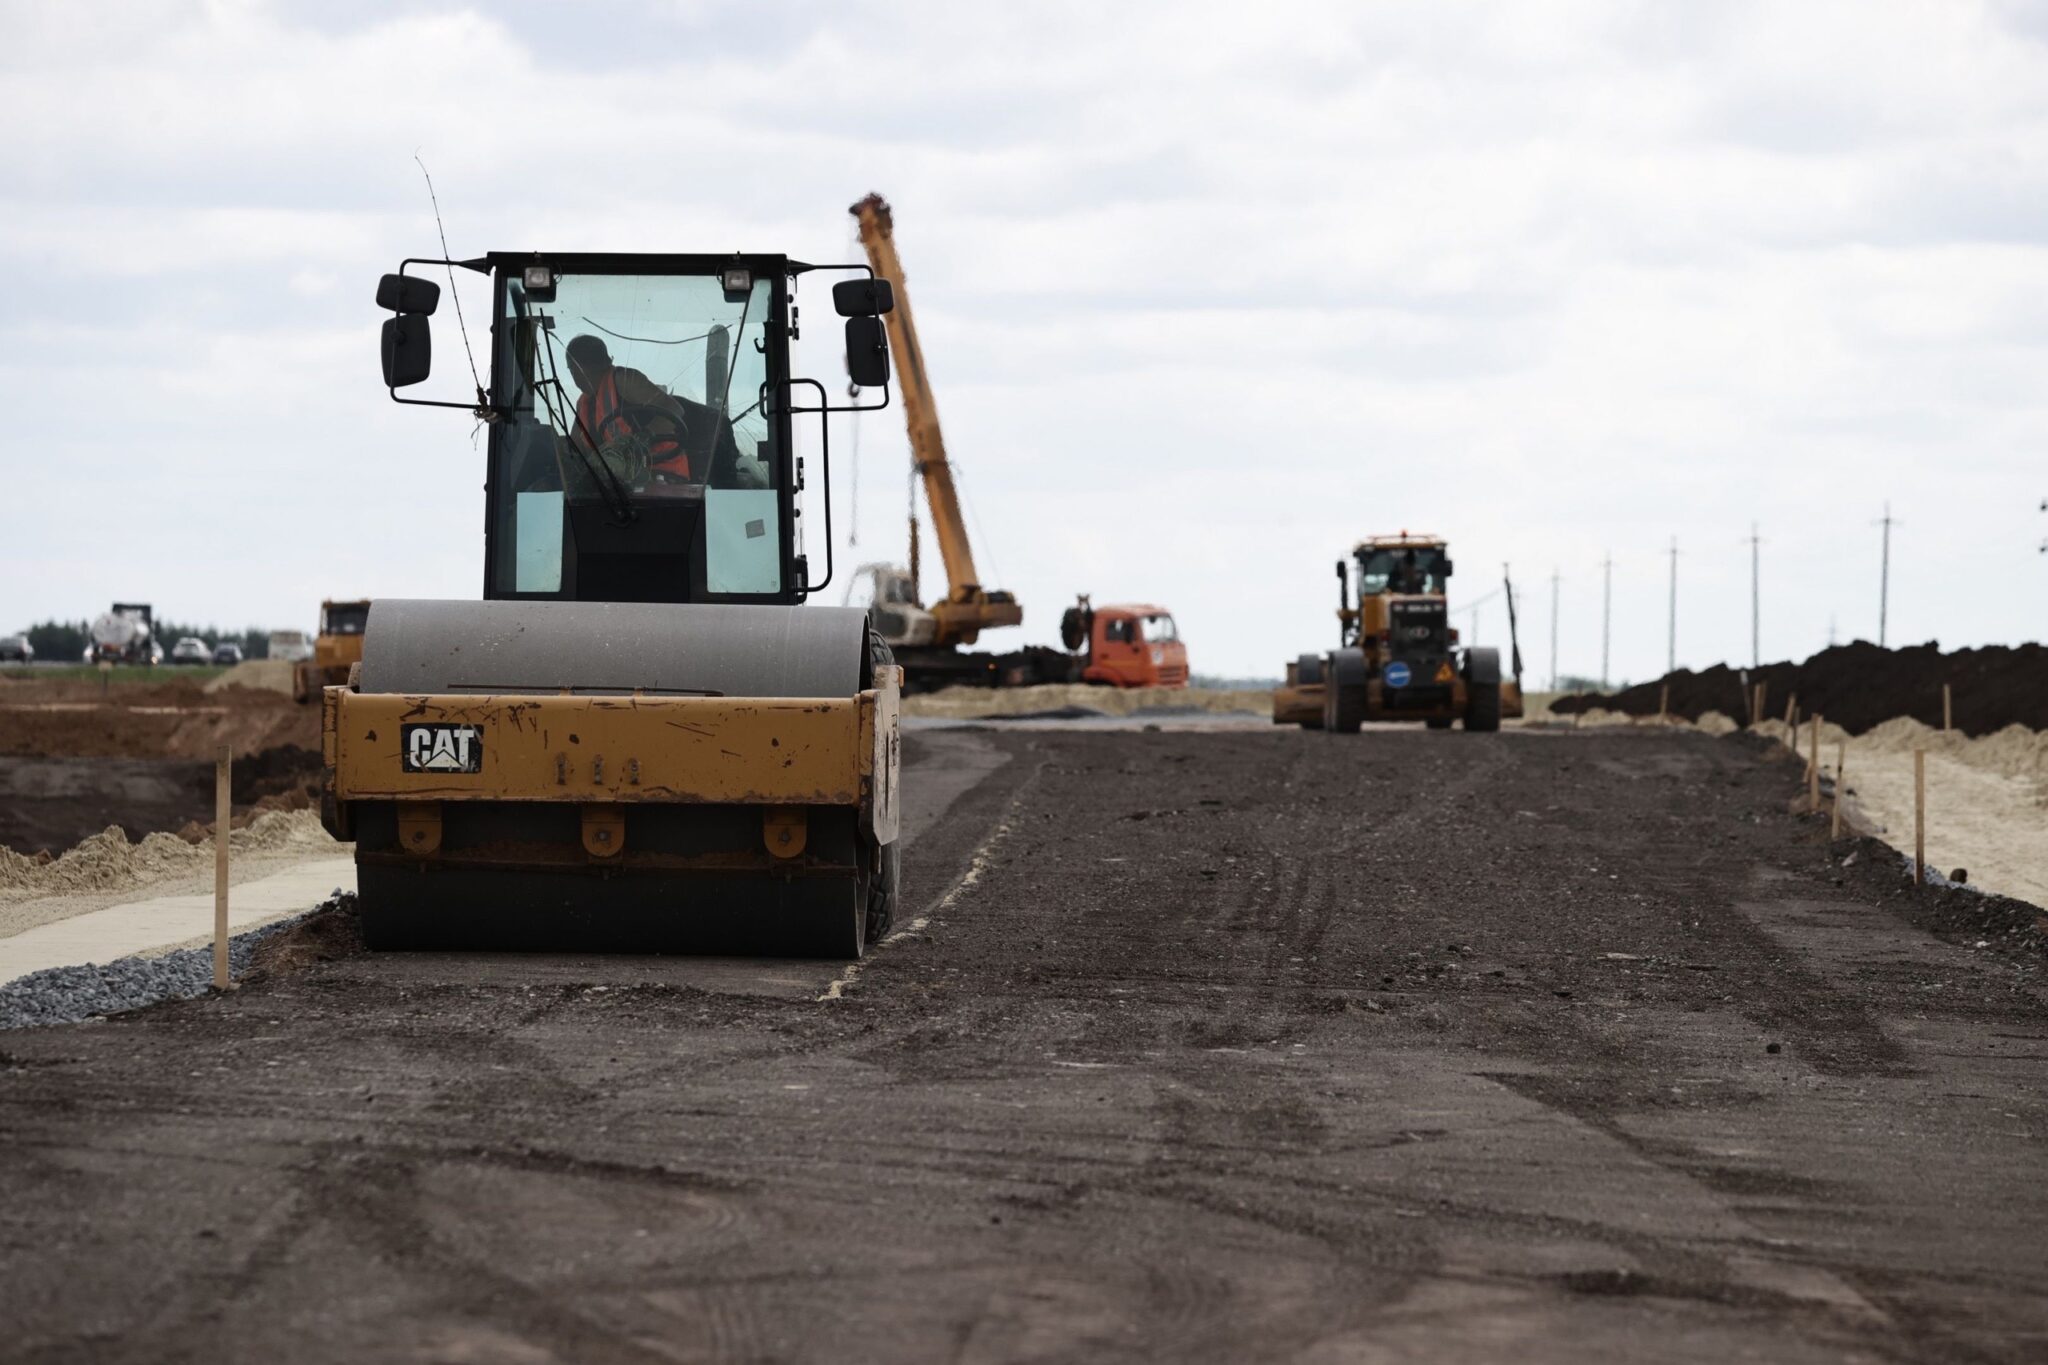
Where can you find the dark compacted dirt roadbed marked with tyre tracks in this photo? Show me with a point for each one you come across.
(1238, 1047)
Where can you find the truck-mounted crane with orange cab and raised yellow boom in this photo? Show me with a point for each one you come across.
(1115, 646)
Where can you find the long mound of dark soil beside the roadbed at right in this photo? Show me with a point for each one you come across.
(1859, 687)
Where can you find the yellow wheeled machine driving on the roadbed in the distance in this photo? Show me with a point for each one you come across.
(1398, 656)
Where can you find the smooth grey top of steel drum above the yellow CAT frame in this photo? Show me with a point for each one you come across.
(417, 646)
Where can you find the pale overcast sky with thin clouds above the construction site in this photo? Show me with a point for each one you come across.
(1207, 292)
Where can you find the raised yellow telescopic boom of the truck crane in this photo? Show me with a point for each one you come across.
(970, 609)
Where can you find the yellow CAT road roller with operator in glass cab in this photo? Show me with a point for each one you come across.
(640, 740)
